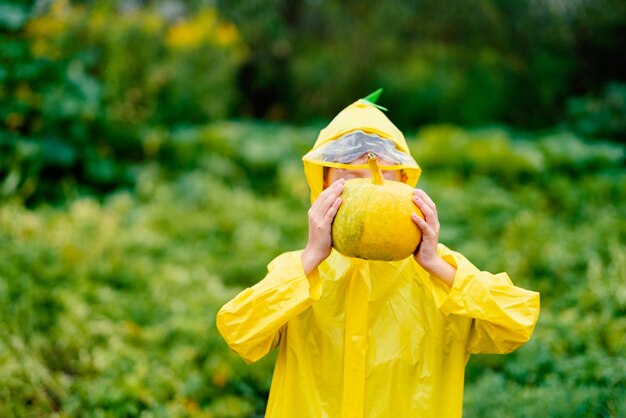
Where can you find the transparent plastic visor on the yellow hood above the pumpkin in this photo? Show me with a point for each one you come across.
(356, 144)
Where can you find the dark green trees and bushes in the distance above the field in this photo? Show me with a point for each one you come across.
(87, 88)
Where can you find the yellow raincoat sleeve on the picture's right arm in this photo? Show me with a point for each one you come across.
(503, 315)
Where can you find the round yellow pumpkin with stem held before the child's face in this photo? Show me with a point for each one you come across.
(374, 220)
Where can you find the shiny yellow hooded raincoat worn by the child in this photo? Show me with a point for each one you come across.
(360, 338)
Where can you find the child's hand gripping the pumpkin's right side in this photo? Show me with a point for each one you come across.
(426, 254)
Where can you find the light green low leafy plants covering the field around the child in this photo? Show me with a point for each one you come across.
(108, 306)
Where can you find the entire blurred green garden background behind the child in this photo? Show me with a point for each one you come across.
(150, 168)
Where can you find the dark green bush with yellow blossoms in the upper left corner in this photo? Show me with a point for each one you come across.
(80, 86)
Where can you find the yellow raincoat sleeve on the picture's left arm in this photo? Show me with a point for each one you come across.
(252, 322)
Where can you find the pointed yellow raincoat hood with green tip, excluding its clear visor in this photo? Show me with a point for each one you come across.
(364, 116)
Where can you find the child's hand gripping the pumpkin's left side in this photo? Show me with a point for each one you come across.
(321, 217)
